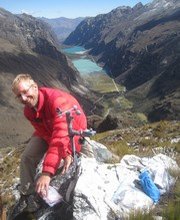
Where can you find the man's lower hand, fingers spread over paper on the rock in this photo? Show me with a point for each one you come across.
(42, 184)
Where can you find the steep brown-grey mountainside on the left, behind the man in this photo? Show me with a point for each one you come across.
(27, 45)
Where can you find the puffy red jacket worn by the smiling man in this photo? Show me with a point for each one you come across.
(52, 127)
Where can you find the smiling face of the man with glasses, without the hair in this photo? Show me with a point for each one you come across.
(27, 93)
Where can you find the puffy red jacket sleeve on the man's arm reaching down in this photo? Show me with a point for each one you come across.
(59, 145)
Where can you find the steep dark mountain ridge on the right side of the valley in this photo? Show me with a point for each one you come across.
(139, 47)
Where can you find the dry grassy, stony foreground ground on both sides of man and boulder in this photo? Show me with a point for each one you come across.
(144, 141)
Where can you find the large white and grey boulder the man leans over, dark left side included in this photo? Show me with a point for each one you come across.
(94, 190)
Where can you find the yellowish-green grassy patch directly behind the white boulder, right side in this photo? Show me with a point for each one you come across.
(143, 141)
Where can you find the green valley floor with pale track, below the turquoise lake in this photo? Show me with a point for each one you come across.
(110, 95)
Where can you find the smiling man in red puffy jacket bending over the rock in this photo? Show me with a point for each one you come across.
(51, 132)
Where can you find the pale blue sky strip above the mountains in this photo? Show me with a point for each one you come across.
(65, 8)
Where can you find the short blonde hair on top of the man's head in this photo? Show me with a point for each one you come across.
(22, 77)
